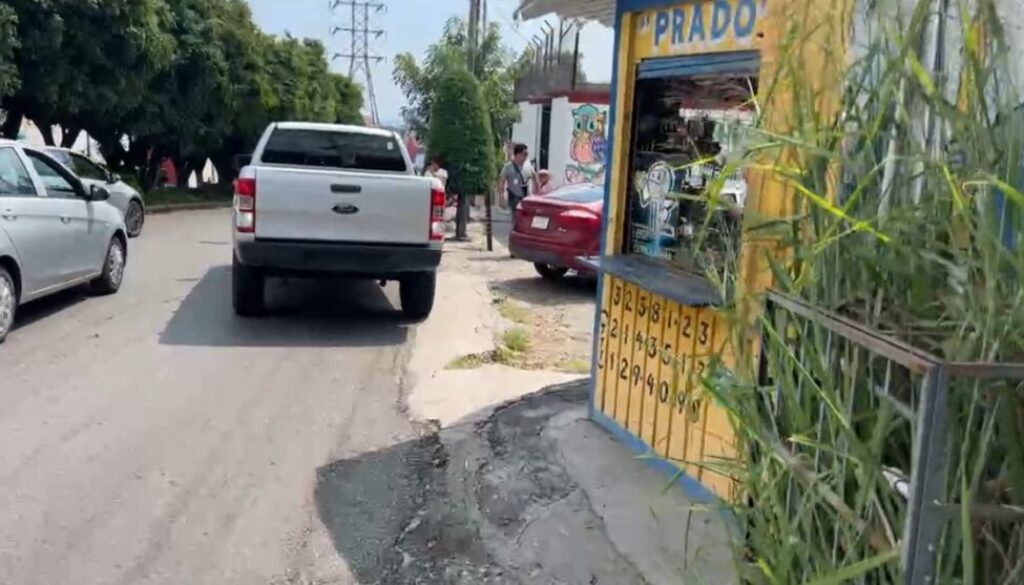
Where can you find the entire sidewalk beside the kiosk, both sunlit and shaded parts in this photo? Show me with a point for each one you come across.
(510, 483)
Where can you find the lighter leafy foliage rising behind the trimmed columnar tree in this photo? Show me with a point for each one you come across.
(495, 67)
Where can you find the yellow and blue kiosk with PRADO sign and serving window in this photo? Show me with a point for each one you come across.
(685, 81)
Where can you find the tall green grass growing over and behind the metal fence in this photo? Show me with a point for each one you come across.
(899, 206)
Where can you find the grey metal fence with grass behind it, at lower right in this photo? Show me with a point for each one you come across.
(947, 445)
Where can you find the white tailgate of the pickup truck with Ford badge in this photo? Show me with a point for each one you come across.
(328, 205)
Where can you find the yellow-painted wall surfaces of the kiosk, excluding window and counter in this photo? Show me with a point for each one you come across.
(653, 352)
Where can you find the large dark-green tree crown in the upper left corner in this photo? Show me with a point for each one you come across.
(83, 62)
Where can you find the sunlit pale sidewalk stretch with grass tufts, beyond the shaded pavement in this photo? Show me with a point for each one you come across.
(498, 332)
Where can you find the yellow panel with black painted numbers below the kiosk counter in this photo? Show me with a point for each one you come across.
(652, 356)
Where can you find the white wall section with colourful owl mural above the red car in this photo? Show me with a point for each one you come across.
(579, 142)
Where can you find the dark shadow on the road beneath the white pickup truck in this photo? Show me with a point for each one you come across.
(301, 314)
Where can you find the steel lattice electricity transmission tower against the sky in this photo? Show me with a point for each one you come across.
(360, 31)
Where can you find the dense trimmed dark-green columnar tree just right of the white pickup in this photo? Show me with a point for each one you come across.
(460, 132)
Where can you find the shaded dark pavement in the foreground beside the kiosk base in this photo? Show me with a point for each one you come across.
(533, 494)
